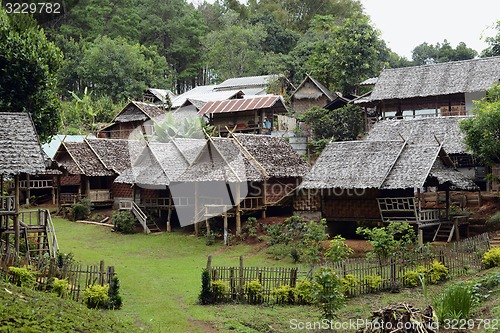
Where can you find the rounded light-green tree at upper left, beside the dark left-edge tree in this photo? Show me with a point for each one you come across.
(120, 70)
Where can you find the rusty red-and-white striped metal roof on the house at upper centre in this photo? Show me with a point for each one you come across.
(245, 104)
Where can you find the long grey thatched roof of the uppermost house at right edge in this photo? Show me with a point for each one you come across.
(437, 79)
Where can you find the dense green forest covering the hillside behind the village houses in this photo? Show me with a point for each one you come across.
(114, 49)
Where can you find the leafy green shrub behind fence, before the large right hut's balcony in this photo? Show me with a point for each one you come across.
(397, 237)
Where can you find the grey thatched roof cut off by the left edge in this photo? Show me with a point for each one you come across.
(20, 150)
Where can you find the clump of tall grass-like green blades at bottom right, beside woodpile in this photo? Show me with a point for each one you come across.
(455, 302)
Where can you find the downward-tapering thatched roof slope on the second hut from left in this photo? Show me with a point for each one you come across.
(116, 154)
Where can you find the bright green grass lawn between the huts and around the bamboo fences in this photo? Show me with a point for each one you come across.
(160, 278)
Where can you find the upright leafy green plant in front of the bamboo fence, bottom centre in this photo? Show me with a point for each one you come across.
(327, 292)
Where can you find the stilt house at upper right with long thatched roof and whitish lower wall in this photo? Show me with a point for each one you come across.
(442, 89)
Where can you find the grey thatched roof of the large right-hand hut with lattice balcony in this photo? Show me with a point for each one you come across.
(381, 165)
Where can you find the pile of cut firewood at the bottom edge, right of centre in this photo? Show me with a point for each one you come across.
(401, 318)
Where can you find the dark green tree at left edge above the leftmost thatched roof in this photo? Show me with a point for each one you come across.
(28, 73)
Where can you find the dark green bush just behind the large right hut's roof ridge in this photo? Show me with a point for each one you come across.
(343, 124)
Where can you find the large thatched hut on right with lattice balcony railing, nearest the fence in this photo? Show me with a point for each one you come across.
(378, 181)
